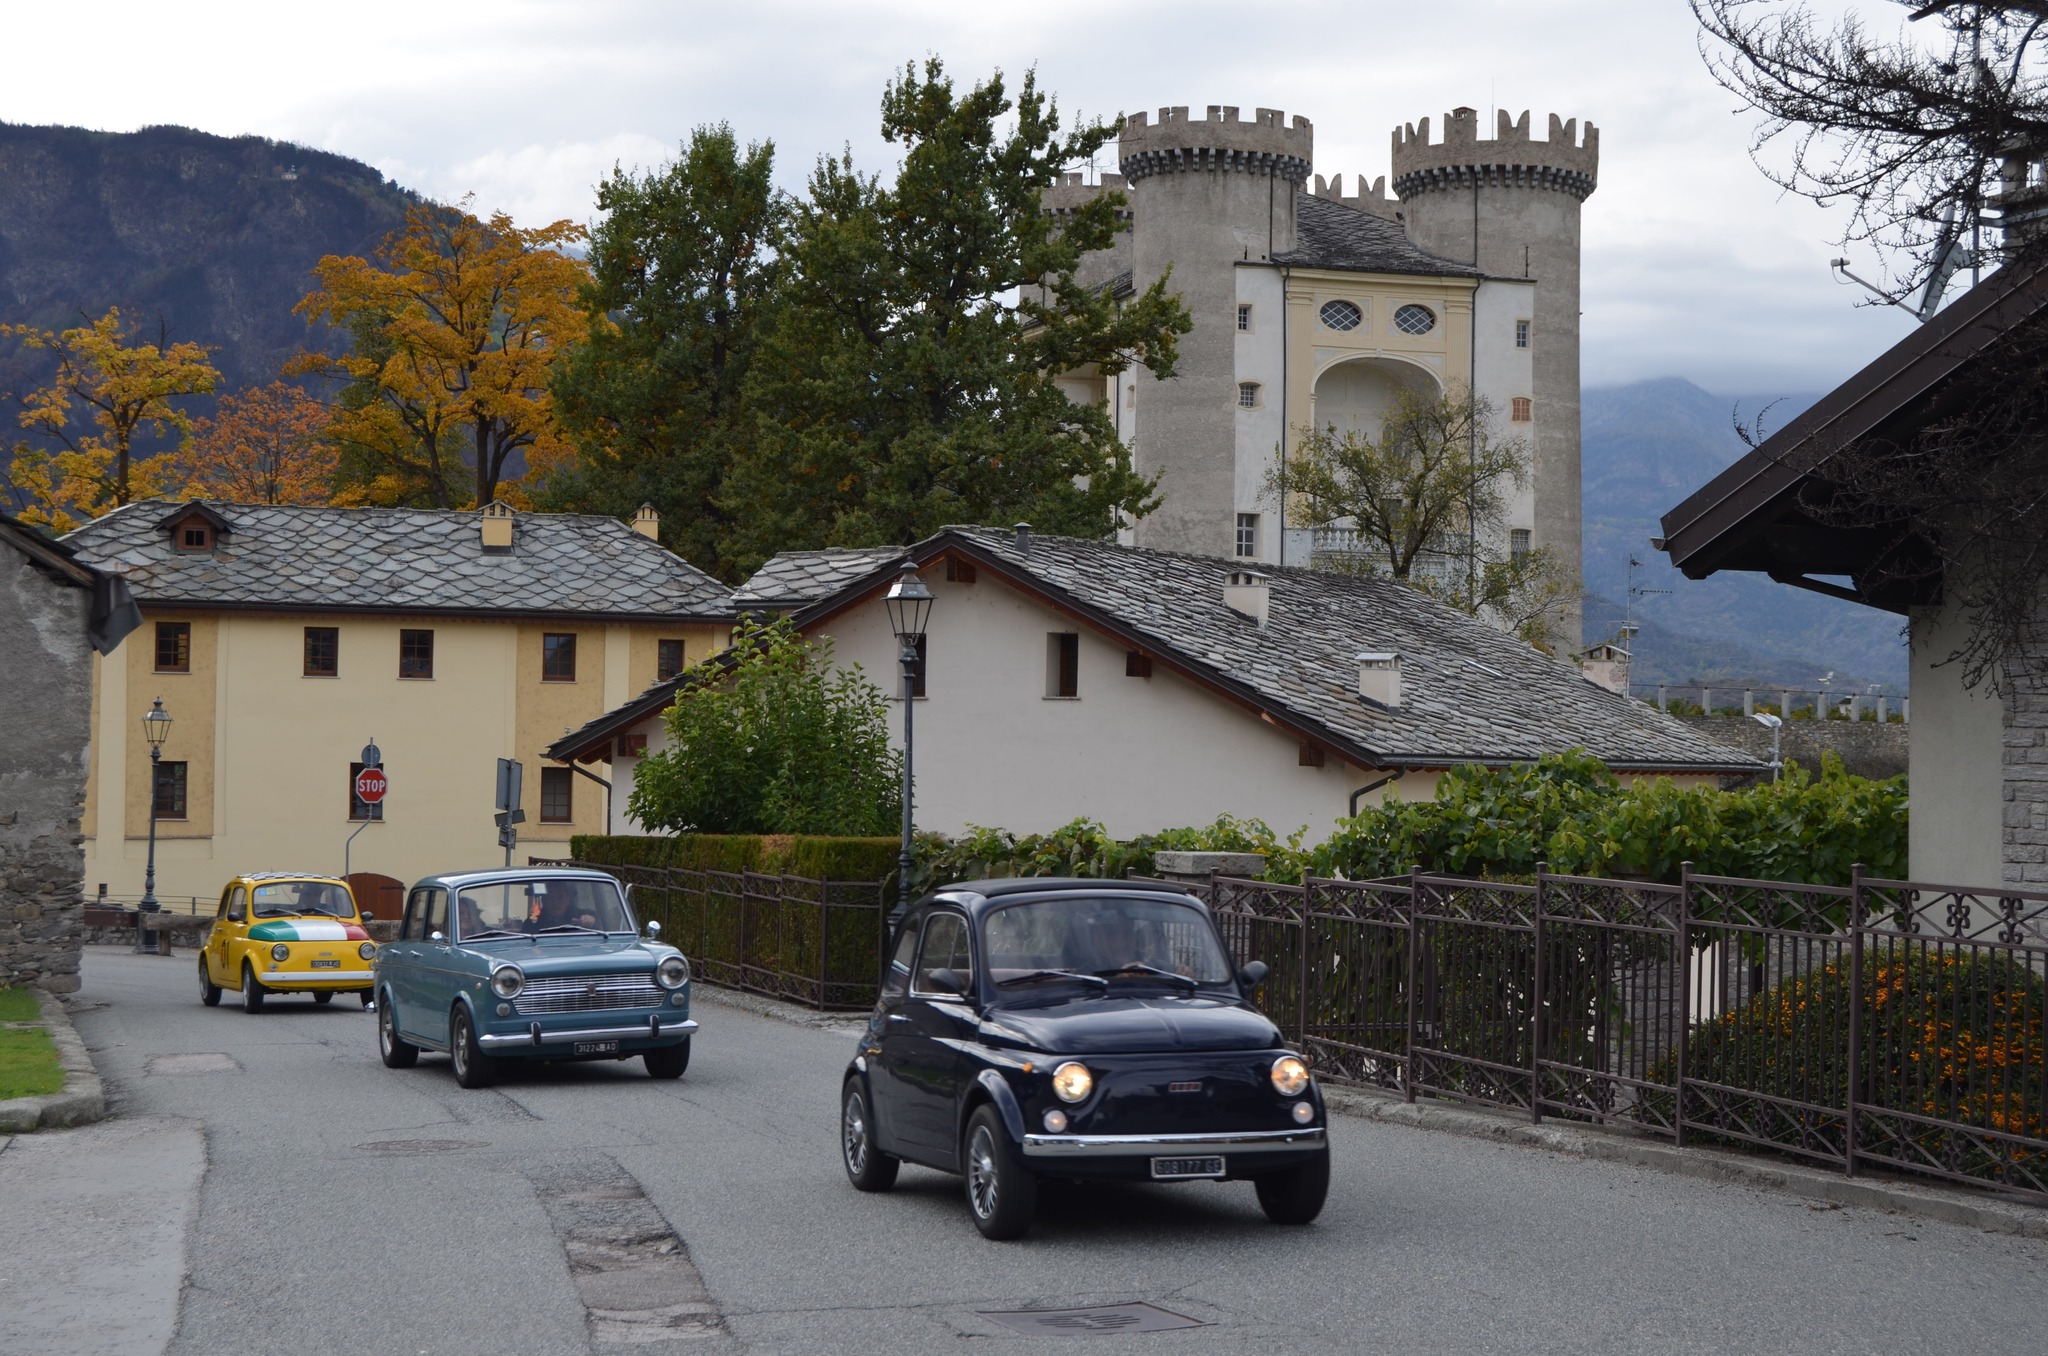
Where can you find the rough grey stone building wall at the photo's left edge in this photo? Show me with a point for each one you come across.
(46, 673)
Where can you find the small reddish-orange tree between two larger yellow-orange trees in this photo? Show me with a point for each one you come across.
(265, 446)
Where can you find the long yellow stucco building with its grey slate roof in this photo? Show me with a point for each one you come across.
(284, 640)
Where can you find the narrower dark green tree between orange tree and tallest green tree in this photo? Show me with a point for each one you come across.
(683, 265)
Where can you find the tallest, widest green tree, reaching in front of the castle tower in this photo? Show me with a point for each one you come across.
(910, 372)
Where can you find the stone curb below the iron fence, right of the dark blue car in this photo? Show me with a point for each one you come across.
(1871, 1193)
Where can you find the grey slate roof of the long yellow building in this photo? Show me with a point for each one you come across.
(398, 560)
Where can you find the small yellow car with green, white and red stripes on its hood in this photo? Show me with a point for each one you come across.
(288, 933)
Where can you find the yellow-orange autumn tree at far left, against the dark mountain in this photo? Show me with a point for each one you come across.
(112, 392)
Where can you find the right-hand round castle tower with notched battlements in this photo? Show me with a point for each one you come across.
(1510, 206)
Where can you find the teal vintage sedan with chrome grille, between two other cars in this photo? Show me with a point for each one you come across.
(542, 964)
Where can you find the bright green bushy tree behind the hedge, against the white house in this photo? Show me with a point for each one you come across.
(771, 738)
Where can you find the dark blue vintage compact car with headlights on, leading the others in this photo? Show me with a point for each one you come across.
(1076, 1029)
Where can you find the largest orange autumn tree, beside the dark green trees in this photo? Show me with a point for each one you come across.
(456, 329)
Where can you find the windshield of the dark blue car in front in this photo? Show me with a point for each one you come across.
(1095, 939)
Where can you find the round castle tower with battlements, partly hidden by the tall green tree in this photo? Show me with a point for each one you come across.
(1205, 196)
